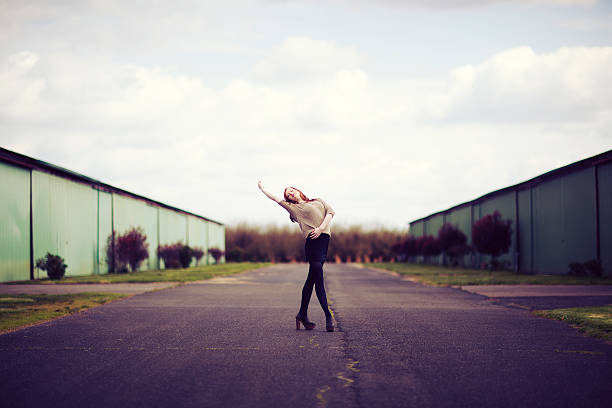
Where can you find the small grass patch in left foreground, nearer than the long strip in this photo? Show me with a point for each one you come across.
(17, 311)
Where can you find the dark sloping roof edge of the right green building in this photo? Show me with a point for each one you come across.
(579, 165)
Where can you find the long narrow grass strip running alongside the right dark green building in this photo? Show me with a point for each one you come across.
(447, 276)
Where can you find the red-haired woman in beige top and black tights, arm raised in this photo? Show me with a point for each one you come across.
(313, 216)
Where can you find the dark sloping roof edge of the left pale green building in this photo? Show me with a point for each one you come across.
(31, 163)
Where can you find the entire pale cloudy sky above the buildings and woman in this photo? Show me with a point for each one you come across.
(388, 109)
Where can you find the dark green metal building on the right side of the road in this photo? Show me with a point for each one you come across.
(558, 217)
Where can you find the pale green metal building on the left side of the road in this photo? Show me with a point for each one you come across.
(46, 208)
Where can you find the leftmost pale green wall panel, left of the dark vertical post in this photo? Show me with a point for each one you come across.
(14, 223)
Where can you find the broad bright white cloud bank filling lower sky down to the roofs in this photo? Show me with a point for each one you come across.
(391, 150)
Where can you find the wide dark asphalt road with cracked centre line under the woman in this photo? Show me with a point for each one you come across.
(231, 342)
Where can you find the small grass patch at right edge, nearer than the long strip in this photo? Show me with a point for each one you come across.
(592, 321)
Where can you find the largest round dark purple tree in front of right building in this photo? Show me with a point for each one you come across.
(492, 236)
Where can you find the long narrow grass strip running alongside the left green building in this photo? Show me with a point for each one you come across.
(163, 275)
